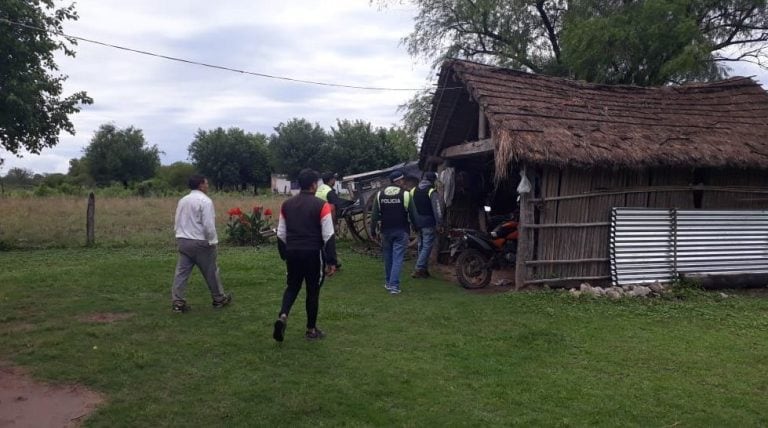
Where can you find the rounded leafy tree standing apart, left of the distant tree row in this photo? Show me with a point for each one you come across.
(121, 155)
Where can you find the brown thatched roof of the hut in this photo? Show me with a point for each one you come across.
(554, 121)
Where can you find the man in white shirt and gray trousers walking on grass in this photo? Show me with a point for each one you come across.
(196, 240)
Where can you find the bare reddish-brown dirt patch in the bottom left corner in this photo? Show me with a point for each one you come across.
(28, 403)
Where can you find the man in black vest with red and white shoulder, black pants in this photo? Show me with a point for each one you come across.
(307, 244)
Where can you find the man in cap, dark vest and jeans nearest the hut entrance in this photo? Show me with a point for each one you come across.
(428, 219)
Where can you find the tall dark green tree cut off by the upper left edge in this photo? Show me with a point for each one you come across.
(32, 109)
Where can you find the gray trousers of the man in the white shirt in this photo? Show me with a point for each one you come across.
(203, 255)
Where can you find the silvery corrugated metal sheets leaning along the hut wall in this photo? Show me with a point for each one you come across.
(650, 245)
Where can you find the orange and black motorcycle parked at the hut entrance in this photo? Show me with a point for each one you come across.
(479, 253)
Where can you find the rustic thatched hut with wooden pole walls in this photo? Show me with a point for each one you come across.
(585, 149)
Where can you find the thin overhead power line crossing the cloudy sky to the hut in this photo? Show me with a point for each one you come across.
(218, 67)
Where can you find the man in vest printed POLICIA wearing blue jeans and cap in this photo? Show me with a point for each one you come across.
(392, 206)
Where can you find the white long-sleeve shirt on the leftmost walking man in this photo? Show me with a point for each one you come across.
(196, 218)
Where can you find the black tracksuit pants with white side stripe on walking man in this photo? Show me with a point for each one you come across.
(304, 266)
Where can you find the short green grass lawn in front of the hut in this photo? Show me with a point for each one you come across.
(432, 356)
